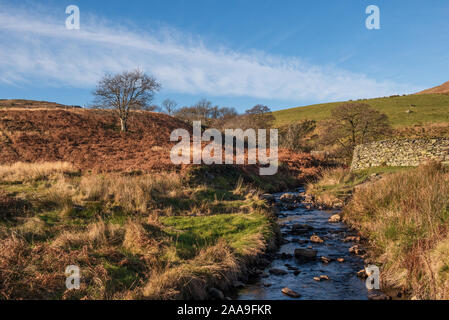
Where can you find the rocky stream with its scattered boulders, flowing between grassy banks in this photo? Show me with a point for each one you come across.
(319, 257)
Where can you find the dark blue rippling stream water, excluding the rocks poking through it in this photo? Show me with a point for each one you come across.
(343, 283)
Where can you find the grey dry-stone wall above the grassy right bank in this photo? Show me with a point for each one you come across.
(398, 153)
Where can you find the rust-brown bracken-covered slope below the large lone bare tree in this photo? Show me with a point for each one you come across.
(90, 139)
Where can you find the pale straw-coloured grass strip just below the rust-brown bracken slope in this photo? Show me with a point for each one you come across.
(132, 194)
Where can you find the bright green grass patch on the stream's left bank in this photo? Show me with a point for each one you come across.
(194, 233)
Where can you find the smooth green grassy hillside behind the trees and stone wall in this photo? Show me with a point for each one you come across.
(426, 108)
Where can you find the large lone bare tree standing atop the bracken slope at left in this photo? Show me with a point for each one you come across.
(124, 92)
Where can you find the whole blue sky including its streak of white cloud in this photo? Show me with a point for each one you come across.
(281, 53)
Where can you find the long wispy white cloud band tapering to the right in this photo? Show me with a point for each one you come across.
(40, 48)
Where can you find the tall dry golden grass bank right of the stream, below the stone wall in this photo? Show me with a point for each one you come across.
(406, 215)
